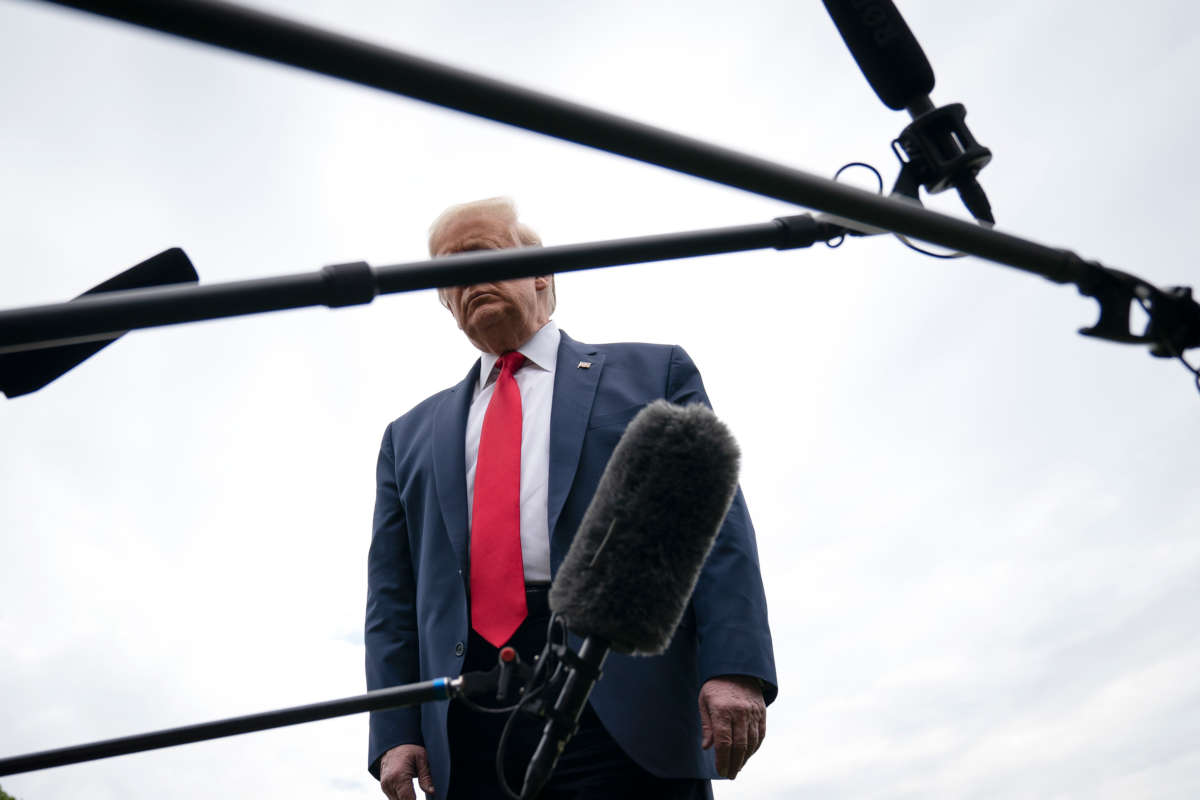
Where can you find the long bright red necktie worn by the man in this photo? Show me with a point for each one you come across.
(497, 574)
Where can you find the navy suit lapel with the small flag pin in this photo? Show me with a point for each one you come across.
(575, 390)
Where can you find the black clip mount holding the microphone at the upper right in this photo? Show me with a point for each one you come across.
(937, 151)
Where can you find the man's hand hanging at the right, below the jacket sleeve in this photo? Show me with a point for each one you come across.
(734, 717)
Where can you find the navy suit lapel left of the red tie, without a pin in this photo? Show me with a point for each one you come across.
(451, 462)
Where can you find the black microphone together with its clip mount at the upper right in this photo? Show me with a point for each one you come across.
(941, 151)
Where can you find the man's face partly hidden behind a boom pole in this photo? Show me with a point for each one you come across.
(496, 317)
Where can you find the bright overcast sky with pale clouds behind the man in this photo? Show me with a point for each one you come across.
(979, 530)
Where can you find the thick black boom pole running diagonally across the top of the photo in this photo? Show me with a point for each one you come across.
(286, 41)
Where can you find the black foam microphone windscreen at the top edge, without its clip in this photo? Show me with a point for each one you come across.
(886, 51)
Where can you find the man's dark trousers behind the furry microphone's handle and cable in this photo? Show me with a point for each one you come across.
(593, 767)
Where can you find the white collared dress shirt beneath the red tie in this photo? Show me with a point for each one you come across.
(536, 381)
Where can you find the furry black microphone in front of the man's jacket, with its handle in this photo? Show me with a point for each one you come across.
(627, 580)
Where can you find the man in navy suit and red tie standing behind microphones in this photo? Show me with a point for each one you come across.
(479, 492)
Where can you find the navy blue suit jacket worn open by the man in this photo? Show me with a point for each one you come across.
(417, 598)
